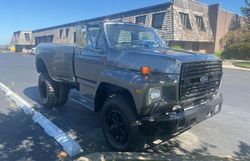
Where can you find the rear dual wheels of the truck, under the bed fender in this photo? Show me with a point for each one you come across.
(51, 92)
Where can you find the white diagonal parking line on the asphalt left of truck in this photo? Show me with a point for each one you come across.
(68, 144)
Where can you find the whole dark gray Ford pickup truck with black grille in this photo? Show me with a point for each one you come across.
(142, 88)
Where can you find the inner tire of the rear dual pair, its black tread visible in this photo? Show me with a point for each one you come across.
(62, 95)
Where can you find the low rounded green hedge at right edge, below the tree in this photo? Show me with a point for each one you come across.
(238, 51)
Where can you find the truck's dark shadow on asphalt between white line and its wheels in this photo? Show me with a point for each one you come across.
(81, 124)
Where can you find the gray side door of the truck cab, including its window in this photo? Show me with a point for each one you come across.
(90, 58)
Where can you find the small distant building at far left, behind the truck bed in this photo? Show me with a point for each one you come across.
(21, 41)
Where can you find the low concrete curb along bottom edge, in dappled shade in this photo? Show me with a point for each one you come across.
(120, 156)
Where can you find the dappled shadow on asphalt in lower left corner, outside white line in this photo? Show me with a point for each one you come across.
(21, 139)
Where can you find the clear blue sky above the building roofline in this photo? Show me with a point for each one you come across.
(34, 14)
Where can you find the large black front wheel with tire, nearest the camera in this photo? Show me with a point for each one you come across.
(117, 116)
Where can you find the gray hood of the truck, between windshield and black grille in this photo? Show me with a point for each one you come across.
(160, 60)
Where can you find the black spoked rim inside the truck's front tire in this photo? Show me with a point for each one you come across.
(117, 129)
